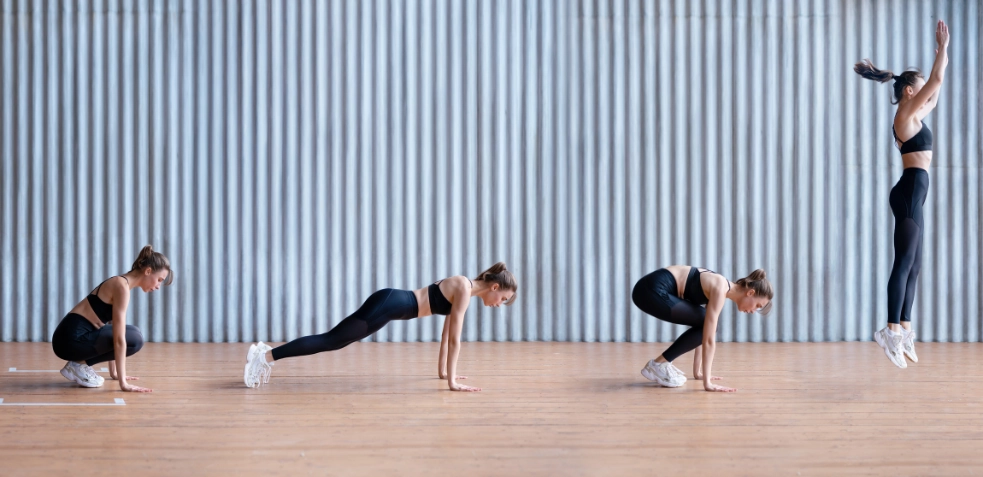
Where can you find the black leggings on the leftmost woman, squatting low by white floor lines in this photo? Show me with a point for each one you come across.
(76, 339)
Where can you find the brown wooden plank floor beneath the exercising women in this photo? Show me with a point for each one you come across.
(546, 409)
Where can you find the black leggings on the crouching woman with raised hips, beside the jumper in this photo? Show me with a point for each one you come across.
(655, 294)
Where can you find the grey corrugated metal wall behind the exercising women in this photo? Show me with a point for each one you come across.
(293, 156)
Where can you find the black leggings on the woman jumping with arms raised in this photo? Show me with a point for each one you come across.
(907, 198)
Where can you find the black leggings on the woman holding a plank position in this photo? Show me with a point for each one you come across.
(380, 308)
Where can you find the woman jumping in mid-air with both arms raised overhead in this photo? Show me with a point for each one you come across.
(915, 98)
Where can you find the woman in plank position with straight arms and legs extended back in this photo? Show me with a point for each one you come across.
(451, 296)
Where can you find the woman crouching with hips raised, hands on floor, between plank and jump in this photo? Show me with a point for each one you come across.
(677, 294)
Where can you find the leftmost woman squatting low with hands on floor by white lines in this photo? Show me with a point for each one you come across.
(95, 330)
